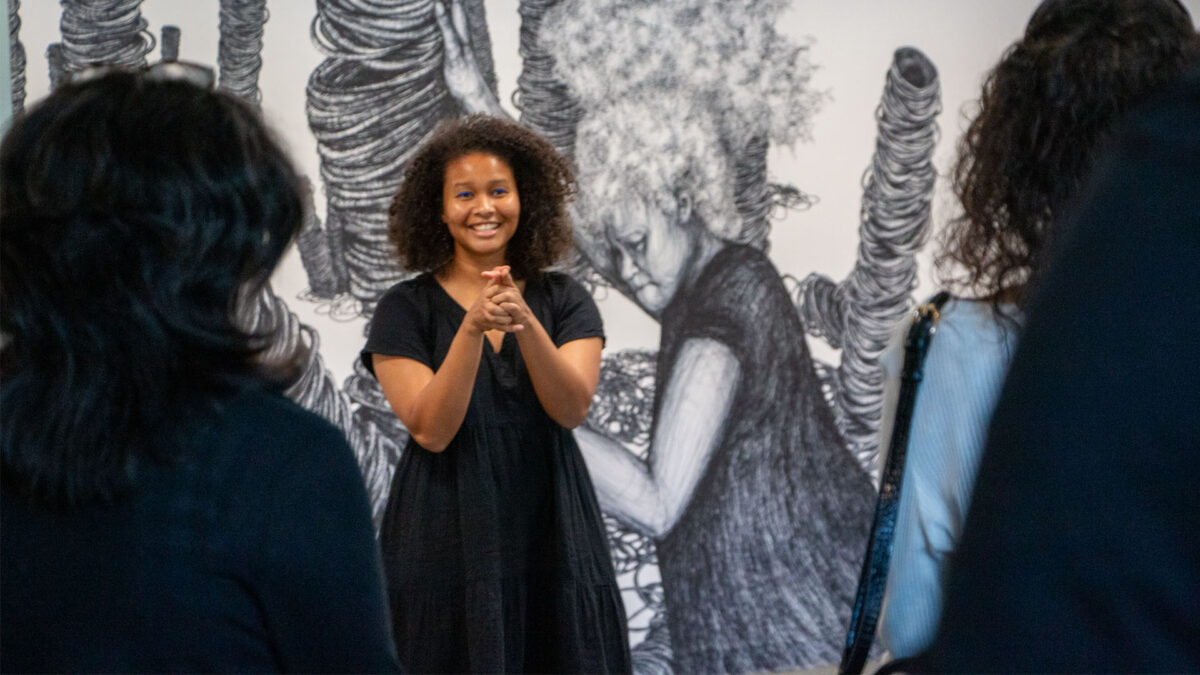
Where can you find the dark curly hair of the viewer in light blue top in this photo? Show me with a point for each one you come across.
(1046, 114)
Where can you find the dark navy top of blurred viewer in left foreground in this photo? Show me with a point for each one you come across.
(255, 552)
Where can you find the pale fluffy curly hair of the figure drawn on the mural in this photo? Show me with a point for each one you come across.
(683, 97)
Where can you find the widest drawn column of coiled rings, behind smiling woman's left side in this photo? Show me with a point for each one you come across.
(376, 97)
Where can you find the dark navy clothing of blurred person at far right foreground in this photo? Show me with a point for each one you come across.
(1082, 548)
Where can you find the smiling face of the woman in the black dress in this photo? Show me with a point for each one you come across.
(481, 205)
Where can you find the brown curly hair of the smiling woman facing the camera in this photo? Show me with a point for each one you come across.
(545, 184)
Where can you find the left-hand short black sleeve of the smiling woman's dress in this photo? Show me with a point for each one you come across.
(401, 326)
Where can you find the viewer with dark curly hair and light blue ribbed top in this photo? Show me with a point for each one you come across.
(1047, 112)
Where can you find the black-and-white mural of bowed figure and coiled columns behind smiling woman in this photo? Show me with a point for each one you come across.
(735, 465)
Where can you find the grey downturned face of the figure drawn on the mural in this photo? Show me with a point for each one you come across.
(652, 252)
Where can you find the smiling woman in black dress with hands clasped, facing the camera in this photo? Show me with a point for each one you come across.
(494, 545)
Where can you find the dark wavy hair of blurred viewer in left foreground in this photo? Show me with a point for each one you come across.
(135, 216)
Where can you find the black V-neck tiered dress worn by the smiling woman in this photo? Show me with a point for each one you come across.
(495, 549)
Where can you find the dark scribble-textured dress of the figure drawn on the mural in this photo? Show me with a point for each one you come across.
(760, 572)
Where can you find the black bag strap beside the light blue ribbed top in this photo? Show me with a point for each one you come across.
(872, 582)
